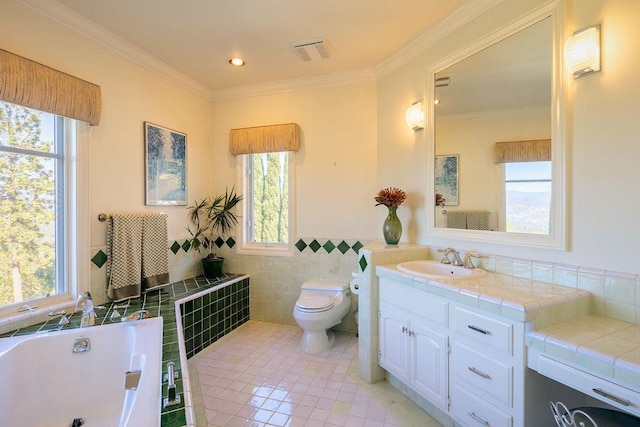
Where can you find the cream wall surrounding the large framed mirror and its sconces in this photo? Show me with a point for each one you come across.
(602, 153)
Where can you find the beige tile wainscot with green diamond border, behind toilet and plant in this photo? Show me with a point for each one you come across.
(275, 281)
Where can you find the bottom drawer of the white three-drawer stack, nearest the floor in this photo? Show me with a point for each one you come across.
(471, 411)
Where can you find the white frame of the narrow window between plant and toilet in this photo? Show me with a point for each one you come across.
(245, 247)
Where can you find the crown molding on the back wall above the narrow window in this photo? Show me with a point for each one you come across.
(291, 85)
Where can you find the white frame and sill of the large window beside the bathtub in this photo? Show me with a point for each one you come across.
(75, 237)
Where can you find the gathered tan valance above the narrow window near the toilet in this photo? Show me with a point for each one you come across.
(265, 139)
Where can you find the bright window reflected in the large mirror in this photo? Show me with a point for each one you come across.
(527, 197)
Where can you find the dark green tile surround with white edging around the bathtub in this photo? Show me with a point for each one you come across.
(192, 302)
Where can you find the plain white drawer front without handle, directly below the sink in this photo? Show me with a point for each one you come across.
(415, 301)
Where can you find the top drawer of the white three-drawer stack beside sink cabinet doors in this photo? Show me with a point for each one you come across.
(485, 330)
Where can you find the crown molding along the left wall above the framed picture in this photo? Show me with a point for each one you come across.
(81, 25)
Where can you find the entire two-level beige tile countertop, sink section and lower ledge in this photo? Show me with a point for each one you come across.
(563, 326)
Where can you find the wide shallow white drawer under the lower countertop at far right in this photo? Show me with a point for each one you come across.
(622, 398)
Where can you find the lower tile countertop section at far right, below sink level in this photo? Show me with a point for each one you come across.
(608, 347)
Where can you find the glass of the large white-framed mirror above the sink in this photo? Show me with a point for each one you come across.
(500, 93)
